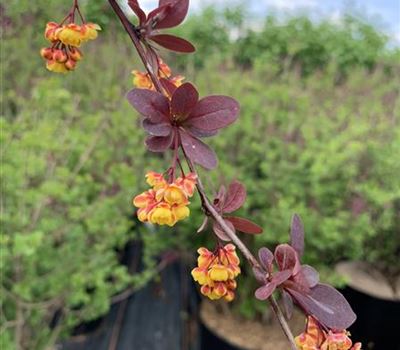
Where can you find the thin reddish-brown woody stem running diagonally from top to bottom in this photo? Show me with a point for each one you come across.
(206, 204)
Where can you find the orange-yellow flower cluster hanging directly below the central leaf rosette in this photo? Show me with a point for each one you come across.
(166, 203)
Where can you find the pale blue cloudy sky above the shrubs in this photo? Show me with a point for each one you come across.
(384, 14)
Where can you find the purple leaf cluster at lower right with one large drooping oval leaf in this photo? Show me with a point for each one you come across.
(300, 283)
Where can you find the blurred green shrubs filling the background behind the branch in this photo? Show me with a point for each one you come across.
(318, 135)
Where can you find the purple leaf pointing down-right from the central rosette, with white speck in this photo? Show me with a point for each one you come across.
(198, 151)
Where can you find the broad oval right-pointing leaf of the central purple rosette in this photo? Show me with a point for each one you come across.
(214, 112)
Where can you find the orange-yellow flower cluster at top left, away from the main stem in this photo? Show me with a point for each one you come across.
(64, 54)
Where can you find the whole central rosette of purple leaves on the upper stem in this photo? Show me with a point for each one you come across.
(182, 120)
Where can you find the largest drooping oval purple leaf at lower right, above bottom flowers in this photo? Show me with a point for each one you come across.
(327, 305)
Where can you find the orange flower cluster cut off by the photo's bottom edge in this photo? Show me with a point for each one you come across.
(315, 338)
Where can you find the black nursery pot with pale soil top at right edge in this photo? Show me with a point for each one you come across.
(376, 304)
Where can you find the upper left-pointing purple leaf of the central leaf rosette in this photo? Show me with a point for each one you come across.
(150, 104)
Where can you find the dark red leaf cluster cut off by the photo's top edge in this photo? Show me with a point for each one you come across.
(168, 14)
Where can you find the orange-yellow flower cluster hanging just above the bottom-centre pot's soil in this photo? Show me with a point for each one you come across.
(216, 272)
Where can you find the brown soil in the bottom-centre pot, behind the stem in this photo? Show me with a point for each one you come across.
(248, 334)
